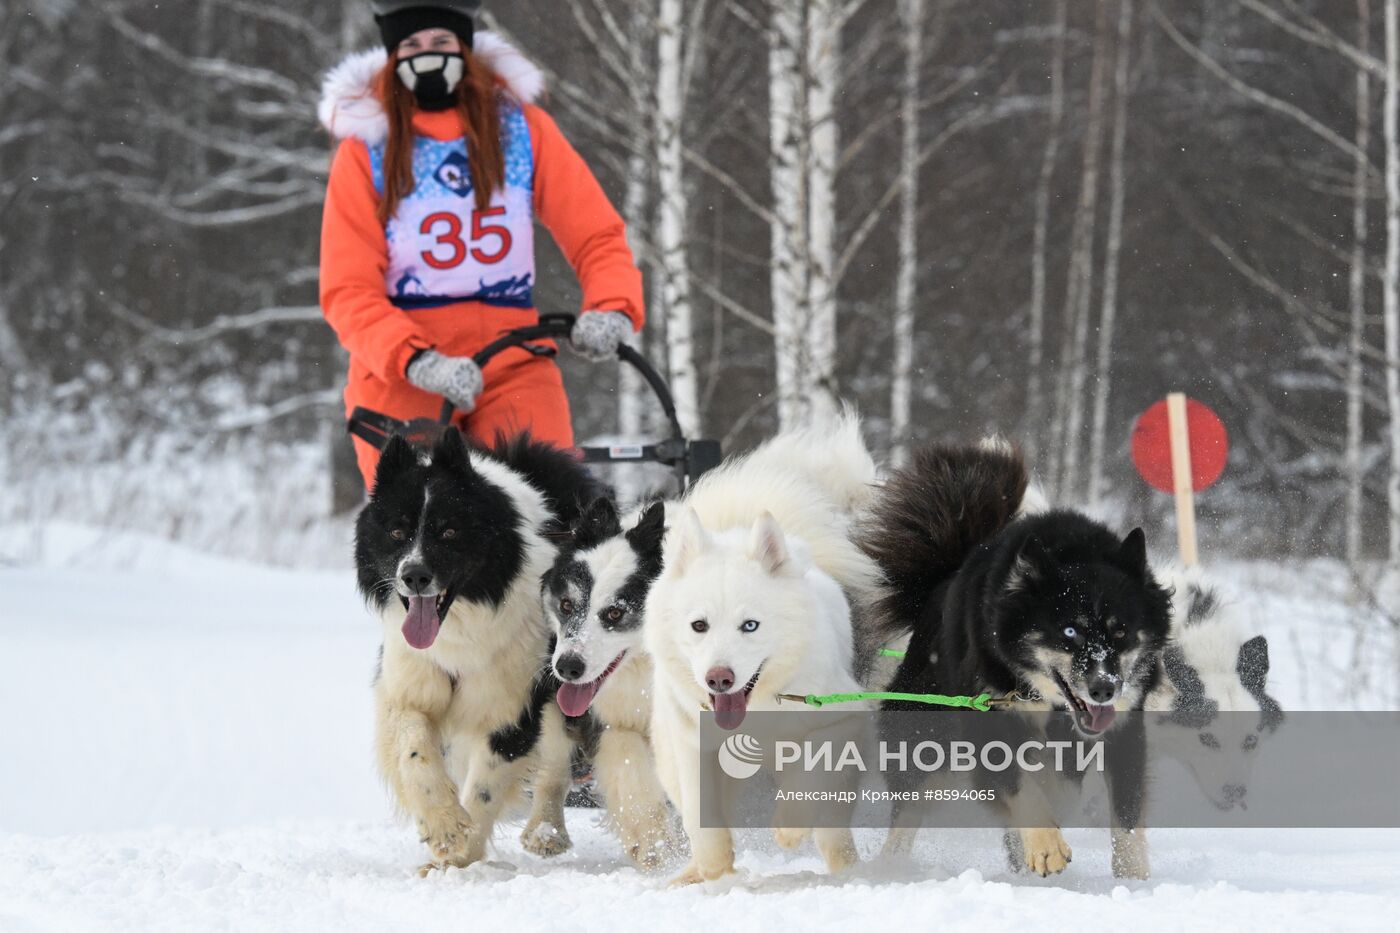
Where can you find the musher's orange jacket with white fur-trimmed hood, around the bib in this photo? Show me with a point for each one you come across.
(355, 257)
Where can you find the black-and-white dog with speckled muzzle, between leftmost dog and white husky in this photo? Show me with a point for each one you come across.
(596, 596)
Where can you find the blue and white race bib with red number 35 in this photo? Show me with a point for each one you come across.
(442, 247)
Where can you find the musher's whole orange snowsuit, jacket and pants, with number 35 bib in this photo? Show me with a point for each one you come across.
(377, 306)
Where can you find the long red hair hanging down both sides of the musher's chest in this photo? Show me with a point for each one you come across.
(478, 106)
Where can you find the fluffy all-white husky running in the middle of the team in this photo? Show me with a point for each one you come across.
(752, 603)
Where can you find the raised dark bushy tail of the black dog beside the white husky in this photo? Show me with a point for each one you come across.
(929, 519)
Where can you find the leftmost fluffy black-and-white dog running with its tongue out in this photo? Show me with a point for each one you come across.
(450, 551)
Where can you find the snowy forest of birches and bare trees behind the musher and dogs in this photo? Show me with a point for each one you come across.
(960, 215)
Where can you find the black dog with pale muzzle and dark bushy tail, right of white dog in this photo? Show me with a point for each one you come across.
(1052, 606)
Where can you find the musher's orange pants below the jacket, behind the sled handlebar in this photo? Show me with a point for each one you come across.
(523, 393)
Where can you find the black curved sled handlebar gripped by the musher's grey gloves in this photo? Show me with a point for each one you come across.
(688, 459)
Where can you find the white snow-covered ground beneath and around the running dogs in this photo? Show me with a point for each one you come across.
(185, 746)
